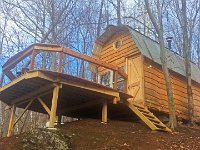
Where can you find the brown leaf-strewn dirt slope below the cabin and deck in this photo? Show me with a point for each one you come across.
(90, 134)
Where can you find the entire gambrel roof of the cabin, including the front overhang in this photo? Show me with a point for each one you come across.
(150, 49)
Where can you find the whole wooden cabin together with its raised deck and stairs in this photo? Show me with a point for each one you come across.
(124, 75)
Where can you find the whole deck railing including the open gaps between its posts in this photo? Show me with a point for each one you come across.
(64, 60)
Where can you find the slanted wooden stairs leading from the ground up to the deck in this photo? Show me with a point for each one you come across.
(147, 117)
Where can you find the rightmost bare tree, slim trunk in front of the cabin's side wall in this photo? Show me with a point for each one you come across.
(187, 19)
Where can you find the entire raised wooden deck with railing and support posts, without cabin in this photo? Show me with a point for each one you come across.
(44, 84)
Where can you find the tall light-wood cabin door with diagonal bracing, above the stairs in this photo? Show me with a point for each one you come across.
(135, 78)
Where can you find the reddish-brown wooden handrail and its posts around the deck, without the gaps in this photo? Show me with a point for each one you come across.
(36, 48)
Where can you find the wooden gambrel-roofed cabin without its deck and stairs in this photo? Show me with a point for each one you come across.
(139, 56)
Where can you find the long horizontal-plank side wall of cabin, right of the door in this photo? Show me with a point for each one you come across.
(156, 95)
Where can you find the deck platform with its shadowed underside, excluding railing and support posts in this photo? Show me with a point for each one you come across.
(75, 94)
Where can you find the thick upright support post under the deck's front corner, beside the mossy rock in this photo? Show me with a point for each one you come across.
(54, 107)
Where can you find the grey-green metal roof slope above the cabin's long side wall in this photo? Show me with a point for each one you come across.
(151, 50)
